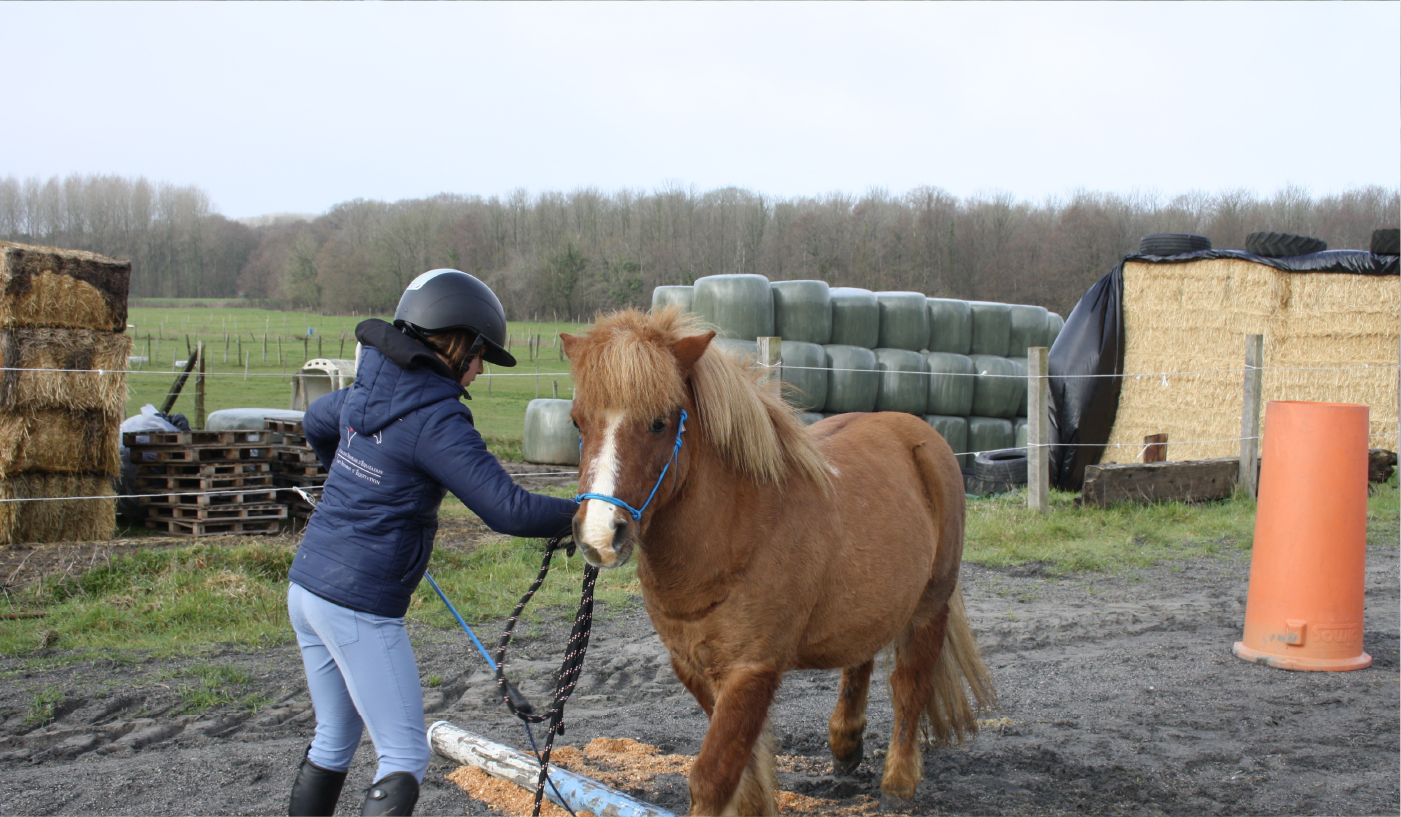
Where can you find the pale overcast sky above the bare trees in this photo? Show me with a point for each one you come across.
(296, 107)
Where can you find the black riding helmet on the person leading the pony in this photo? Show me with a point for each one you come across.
(450, 299)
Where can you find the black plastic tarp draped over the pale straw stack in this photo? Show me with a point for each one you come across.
(1092, 344)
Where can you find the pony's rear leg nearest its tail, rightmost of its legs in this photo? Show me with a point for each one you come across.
(911, 690)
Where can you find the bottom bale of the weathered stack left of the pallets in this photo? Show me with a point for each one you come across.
(57, 521)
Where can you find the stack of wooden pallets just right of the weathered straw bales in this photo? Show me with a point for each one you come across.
(219, 483)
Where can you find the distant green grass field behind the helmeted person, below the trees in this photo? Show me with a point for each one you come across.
(275, 344)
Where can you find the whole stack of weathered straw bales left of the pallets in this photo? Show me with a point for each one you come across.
(64, 358)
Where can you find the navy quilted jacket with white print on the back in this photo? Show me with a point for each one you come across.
(393, 445)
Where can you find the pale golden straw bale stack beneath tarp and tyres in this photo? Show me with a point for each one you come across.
(1194, 319)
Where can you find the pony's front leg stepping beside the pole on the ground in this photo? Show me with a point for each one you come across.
(733, 748)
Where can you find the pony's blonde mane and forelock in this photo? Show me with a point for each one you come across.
(626, 364)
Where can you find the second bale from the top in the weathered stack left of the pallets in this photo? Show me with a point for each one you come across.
(102, 357)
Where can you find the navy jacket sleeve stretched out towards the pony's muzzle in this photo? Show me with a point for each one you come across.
(453, 453)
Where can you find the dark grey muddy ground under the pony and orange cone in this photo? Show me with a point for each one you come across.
(1120, 692)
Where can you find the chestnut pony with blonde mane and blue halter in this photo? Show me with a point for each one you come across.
(771, 547)
